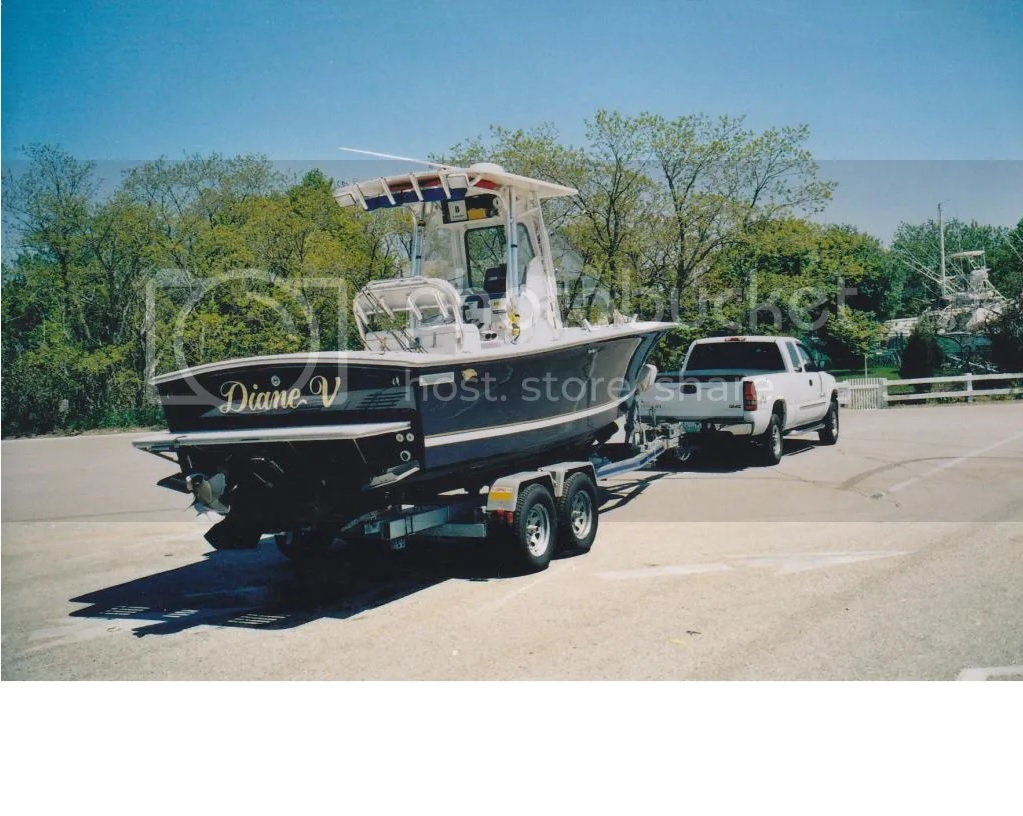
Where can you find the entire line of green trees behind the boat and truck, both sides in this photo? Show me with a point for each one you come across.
(697, 219)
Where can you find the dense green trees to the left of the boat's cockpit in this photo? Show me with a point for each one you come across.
(242, 256)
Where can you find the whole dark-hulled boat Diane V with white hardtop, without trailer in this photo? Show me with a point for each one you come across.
(467, 372)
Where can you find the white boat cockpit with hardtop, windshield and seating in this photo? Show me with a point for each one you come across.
(481, 274)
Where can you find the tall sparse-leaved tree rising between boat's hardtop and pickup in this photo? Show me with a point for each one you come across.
(659, 200)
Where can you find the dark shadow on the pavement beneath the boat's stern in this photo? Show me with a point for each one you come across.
(260, 590)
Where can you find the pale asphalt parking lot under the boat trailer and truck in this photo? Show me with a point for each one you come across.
(896, 555)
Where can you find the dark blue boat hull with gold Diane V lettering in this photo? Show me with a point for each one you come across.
(468, 424)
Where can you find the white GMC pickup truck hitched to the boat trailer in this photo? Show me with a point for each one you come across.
(761, 388)
